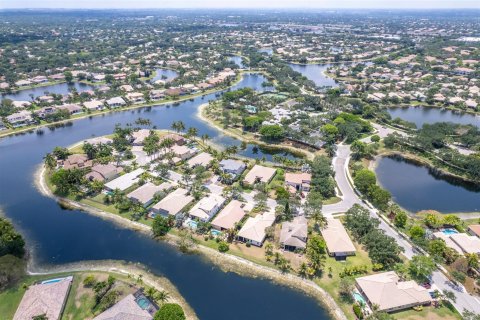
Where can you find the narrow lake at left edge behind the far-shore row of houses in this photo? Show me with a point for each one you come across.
(62, 88)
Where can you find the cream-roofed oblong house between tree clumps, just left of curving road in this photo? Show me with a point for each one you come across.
(337, 239)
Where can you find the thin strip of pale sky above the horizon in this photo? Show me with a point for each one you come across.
(239, 3)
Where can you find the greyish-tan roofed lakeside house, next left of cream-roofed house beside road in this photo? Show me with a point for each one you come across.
(294, 233)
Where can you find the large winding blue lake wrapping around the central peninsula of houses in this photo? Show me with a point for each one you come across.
(58, 236)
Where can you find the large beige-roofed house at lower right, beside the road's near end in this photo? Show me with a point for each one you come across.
(386, 291)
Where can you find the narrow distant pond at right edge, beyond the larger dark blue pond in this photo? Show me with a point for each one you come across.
(422, 115)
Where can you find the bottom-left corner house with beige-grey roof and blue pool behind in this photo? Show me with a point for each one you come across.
(46, 298)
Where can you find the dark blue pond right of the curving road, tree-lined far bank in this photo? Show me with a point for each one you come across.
(416, 187)
